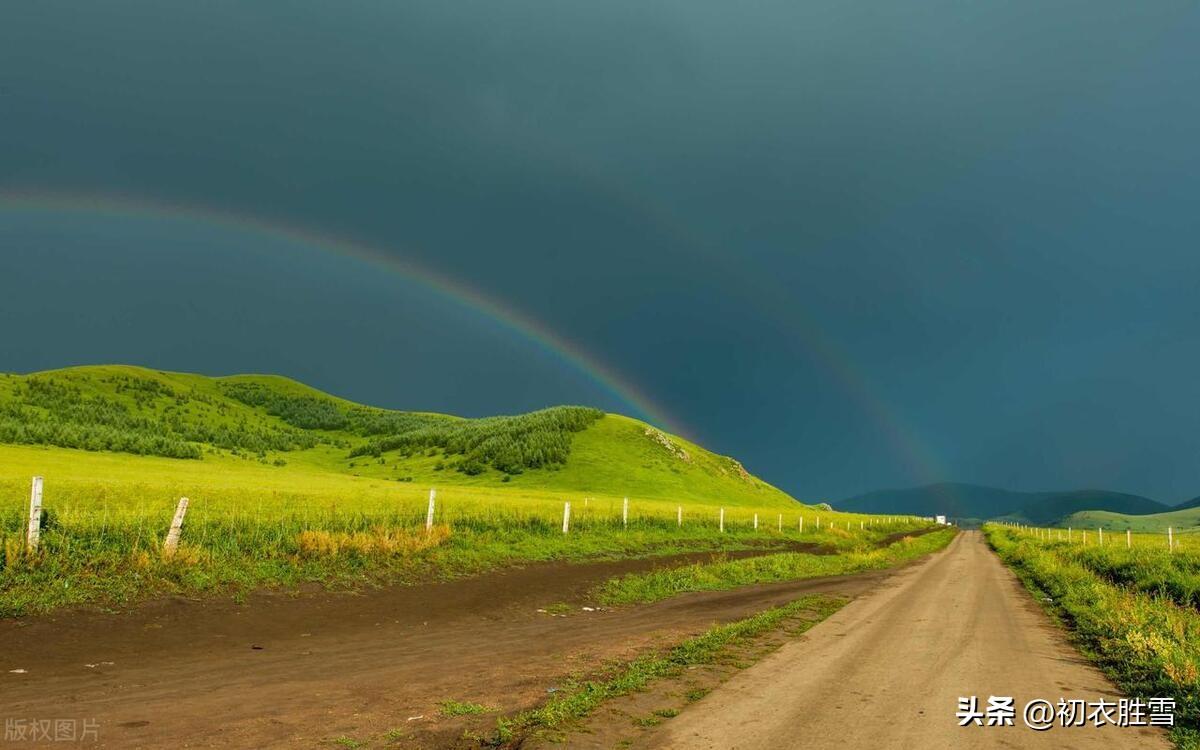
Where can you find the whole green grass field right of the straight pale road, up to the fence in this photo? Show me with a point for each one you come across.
(1132, 610)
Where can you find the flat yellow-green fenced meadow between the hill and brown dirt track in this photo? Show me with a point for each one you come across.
(251, 526)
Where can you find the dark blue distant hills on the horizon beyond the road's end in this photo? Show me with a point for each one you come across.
(976, 502)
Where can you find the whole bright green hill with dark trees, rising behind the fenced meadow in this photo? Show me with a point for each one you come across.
(280, 423)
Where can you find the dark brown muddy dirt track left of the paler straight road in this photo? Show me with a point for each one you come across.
(301, 673)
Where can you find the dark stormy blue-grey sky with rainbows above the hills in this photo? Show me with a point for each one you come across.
(855, 244)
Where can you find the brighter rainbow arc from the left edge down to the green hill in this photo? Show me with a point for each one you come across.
(451, 289)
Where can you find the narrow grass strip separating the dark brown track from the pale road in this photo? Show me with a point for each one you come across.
(581, 699)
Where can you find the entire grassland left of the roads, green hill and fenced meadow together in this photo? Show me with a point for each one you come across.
(284, 494)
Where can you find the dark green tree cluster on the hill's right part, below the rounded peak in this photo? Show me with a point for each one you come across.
(511, 445)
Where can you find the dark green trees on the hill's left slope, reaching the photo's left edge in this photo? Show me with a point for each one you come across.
(153, 419)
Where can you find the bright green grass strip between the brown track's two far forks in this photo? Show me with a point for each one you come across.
(659, 585)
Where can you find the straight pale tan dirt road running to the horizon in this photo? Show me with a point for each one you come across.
(887, 671)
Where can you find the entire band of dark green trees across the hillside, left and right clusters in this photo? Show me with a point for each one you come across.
(146, 417)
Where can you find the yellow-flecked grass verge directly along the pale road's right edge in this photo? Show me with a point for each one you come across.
(1147, 644)
